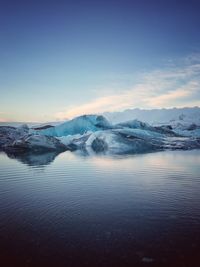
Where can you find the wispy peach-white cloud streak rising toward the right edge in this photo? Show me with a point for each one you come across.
(175, 85)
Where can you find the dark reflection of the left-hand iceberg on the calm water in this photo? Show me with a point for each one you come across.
(34, 159)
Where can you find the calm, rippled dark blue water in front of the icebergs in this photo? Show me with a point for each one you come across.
(72, 210)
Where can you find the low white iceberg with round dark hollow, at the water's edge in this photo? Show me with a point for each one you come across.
(116, 141)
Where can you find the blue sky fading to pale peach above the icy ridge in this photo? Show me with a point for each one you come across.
(60, 59)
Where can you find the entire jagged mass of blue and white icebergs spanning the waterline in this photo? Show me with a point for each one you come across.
(94, 134)
